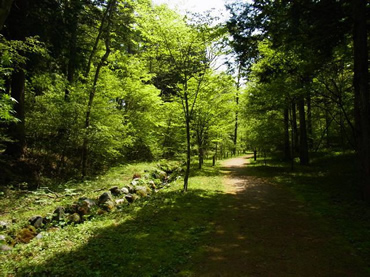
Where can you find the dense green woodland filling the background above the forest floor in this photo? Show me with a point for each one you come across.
(87, 84)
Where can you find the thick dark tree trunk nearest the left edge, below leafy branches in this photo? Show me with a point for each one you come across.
(17, 129)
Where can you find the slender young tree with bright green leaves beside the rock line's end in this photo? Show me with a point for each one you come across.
(188, 52)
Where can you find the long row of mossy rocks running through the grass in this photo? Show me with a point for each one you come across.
(84, 208)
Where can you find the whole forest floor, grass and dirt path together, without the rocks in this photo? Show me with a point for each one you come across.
(236, 219)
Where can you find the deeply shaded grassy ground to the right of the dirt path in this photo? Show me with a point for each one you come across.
(329, 188)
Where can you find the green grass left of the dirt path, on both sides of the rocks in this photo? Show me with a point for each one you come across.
(155, 236)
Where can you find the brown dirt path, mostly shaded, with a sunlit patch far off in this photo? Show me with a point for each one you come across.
(265, 231)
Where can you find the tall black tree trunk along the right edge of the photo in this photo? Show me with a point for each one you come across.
(361, 86)
